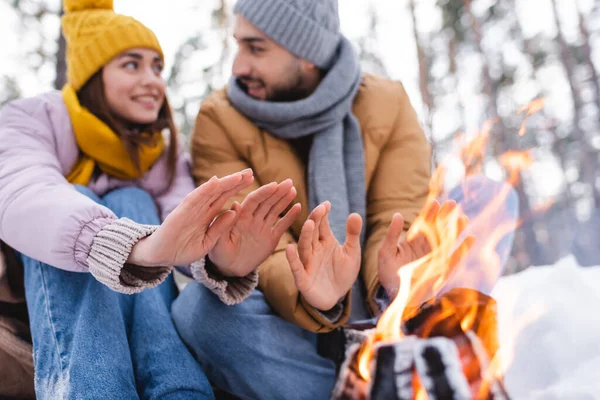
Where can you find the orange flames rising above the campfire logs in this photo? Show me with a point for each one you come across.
(423, 279)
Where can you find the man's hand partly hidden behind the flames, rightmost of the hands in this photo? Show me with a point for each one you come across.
(397, 251)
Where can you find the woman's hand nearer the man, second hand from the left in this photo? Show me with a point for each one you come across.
(257, 229)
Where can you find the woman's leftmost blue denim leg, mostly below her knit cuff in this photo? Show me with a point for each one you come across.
(79, 334)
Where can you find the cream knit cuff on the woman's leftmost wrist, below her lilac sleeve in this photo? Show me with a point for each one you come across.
(108, 256)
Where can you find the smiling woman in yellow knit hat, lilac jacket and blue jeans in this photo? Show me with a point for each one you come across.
(86, 177)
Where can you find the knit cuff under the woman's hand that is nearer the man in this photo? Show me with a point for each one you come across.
(229, 290)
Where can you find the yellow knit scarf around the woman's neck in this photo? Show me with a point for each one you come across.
(100, 146)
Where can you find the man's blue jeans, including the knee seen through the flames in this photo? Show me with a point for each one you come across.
(251, 352)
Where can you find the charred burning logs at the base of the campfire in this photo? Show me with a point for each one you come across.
(436, 359)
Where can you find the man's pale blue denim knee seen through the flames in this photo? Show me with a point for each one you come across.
(475, 272)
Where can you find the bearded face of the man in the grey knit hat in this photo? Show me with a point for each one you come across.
(267, 71)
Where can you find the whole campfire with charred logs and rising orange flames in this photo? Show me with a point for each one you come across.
(445, 347)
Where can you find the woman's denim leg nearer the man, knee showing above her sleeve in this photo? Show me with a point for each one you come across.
(164, 368)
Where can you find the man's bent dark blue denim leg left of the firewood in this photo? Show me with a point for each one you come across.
(249, 351)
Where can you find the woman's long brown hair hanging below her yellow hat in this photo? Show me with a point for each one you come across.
(93, 97)
